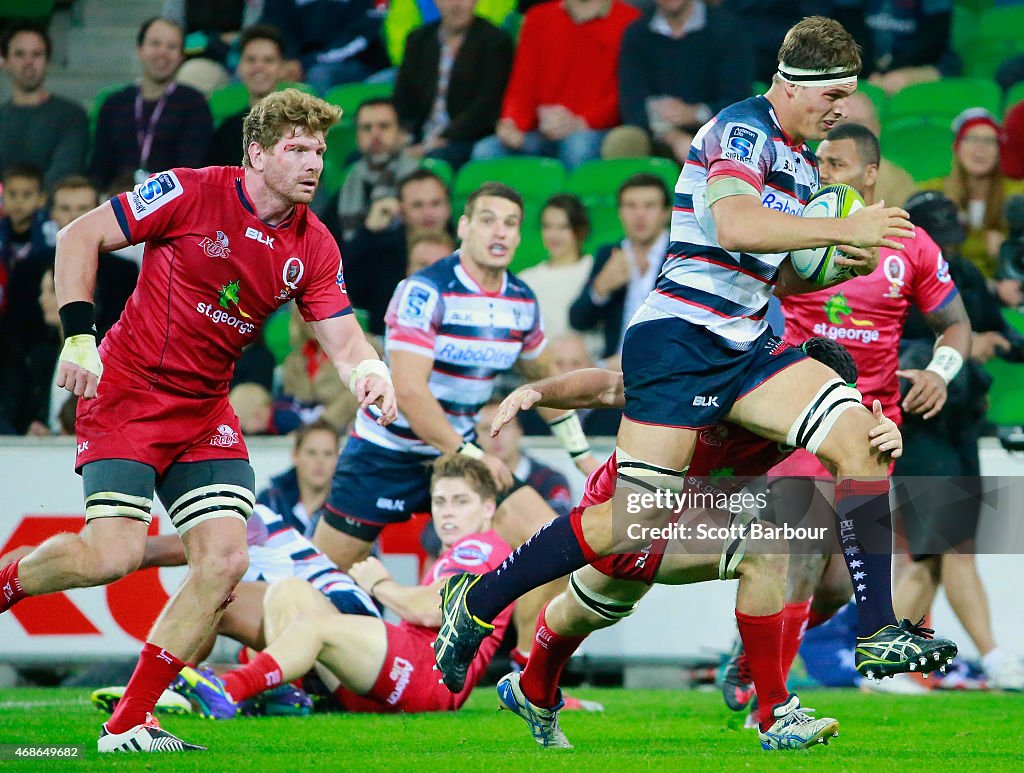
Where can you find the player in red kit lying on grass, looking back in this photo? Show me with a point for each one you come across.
(373, 666)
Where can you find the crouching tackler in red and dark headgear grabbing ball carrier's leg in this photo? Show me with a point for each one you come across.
(610, 589)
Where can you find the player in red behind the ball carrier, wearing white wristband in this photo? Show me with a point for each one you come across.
(867, 316)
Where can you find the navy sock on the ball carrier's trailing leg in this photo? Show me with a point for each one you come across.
(551, 553)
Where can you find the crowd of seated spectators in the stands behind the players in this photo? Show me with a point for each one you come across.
(472, 80)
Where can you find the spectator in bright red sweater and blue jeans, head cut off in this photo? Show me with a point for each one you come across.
(564, 94)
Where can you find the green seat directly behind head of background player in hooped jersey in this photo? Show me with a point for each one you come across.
(535, 178)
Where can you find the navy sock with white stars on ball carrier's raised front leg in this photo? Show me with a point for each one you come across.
(865, 523)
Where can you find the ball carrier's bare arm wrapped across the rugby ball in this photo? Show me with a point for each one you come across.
(744, 226)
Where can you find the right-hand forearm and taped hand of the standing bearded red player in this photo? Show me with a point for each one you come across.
(358, 365)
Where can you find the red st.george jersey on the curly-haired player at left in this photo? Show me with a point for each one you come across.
(212, 273)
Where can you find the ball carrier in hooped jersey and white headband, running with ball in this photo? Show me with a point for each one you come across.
(700, 352)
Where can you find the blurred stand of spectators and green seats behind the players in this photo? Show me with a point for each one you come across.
(587, 107)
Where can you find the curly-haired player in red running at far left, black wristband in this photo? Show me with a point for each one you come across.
(225, 248)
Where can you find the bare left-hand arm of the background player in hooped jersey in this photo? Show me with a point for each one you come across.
(426, 417)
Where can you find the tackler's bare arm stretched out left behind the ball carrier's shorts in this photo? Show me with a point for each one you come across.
(591, 388)
